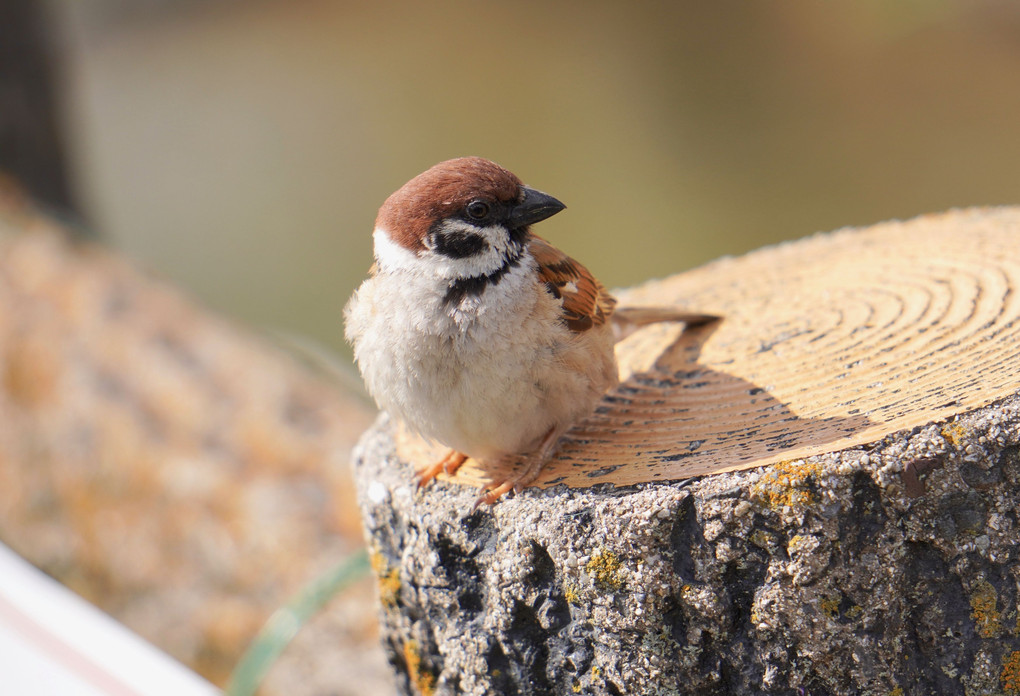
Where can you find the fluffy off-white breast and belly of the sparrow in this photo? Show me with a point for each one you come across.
(489, 377)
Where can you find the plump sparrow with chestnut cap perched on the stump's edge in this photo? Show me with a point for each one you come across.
(475, 332)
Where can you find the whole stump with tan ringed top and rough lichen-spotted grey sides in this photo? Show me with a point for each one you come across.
(817, 495)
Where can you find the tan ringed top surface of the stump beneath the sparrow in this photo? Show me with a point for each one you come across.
(832, 342)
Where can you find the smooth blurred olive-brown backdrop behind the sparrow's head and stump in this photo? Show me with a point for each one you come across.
(242, 150)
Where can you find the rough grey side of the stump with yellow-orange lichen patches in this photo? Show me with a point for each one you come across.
(892, 570)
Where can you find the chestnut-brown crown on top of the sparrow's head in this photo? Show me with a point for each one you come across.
(410, 213)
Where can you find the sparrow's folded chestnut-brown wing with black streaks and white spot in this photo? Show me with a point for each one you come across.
(586, 303)
